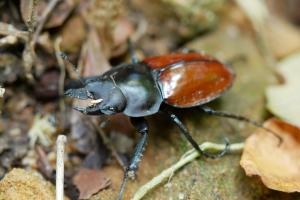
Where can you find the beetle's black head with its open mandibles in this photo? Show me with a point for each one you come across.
(103, 95)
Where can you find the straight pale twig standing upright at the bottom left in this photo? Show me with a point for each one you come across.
(60, 145)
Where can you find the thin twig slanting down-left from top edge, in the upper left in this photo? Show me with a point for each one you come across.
(52, 4)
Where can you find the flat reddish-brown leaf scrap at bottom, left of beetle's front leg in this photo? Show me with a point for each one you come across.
(90, 181)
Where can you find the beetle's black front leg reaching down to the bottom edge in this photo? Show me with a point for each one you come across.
(142, 127)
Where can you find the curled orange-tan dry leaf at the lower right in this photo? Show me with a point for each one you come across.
(277, 166)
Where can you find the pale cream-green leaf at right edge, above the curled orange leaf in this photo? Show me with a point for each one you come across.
(283, 100)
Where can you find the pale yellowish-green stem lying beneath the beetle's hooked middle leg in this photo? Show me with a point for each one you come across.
(188, 157)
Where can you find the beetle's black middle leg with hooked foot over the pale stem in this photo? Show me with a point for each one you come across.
(188, 136)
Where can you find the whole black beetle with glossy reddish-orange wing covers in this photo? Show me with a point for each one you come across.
(141, 89)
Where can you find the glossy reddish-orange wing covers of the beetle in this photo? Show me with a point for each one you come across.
(192, 79)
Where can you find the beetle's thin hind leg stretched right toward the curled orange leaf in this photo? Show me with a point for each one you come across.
(210, 111)
